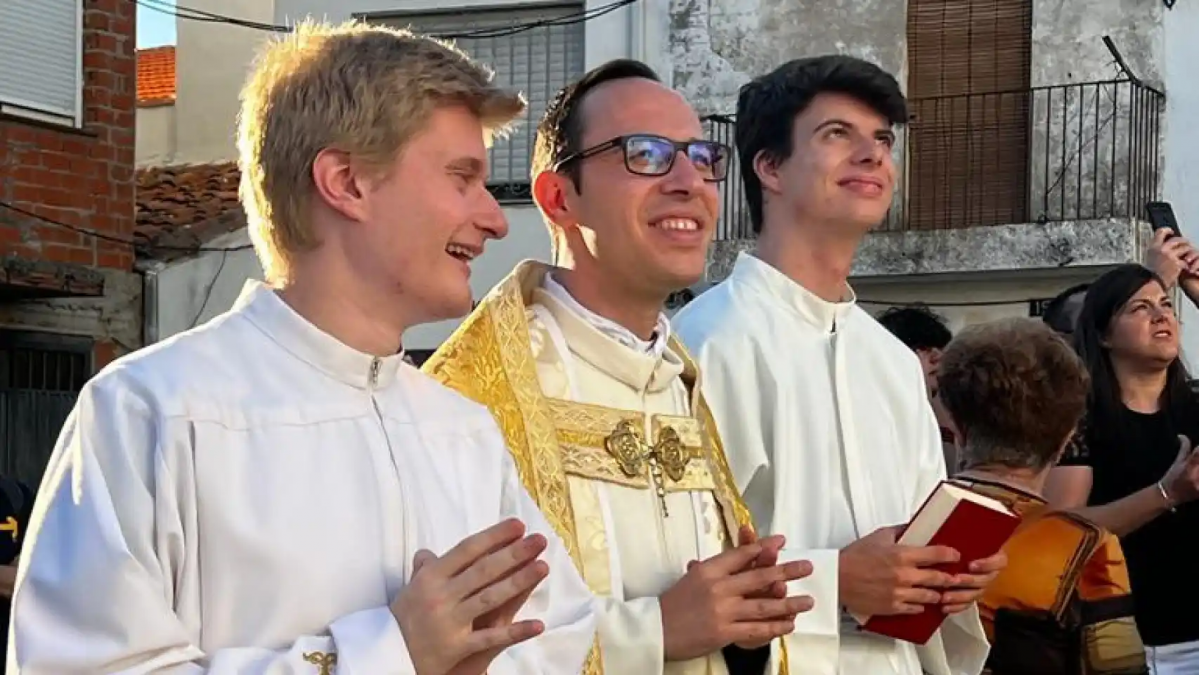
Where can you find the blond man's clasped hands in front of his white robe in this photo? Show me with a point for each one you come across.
(459, 612)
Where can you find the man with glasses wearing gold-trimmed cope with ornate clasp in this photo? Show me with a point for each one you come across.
(600, 403)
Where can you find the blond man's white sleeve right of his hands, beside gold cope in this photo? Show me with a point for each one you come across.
(563, 601)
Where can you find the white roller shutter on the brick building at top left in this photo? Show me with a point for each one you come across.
(40, 56)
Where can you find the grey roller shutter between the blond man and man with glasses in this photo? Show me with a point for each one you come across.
(537, 62)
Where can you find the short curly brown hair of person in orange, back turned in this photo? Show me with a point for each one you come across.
(1016, 391)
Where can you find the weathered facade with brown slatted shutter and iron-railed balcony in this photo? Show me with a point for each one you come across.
(1039, 131)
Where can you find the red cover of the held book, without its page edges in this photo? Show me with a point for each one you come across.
(977, 533)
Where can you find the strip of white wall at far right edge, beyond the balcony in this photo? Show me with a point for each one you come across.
(1182, 176)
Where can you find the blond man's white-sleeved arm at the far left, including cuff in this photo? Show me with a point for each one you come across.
(95, 596)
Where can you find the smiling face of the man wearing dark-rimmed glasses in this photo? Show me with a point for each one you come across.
(647, 234)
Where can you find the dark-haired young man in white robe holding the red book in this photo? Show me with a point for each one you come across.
(824, 413)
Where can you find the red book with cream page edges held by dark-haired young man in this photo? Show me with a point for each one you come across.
(975, 526)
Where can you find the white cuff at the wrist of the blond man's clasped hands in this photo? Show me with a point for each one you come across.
(370, 643)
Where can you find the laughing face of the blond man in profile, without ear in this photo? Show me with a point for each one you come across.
(430, 216)
